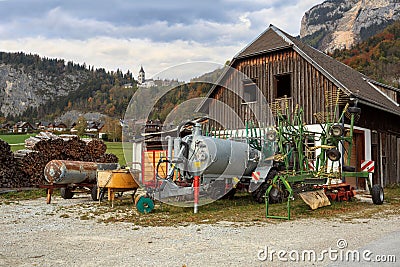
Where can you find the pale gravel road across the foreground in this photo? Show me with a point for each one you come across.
(36, 234)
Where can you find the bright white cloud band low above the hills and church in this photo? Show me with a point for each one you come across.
(124, 53)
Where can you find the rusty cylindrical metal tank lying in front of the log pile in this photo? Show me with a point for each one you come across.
(68, 172)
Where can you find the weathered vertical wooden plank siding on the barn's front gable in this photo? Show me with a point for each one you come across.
(308, 87)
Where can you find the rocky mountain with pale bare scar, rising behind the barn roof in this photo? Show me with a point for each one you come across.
(338, 24)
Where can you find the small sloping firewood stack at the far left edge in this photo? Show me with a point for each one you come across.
(10, 174)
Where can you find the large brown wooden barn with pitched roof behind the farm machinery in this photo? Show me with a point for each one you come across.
(287, 70)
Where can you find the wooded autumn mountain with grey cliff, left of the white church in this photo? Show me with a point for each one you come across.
(34, 88)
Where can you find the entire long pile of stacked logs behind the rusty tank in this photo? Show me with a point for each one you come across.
(26, 167)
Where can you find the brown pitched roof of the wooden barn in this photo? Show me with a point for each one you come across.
(351, 81)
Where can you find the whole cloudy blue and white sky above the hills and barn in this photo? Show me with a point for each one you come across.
(157, 34)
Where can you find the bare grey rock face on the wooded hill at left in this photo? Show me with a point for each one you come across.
(21, 89)
